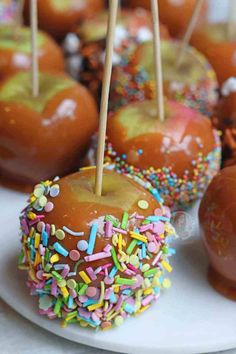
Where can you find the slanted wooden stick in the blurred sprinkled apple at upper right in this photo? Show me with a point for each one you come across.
(189, 30)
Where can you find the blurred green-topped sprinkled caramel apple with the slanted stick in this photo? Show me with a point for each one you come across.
(192, 83)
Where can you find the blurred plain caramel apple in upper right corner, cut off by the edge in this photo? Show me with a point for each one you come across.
(212, 40)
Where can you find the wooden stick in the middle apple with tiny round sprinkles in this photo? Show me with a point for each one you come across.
(157, 59)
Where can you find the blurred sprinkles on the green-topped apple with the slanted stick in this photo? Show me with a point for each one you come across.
(131, 83)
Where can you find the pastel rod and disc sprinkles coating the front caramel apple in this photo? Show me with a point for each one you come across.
(96, 289)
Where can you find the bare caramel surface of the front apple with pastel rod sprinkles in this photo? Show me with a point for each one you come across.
(77, 207)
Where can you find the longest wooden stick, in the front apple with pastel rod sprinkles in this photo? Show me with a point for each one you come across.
(113, 9)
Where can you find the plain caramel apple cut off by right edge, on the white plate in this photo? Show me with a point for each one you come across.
(218, 228)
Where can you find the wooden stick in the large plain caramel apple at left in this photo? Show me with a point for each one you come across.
(34, 47)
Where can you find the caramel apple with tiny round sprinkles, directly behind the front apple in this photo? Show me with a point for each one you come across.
(176, 158)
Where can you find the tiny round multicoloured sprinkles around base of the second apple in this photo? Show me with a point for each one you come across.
(163, 183)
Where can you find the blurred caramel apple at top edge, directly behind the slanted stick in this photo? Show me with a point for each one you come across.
(173, 13)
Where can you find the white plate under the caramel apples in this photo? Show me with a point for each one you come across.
(189, 318)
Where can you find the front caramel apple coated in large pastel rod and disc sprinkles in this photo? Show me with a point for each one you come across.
(95, 260)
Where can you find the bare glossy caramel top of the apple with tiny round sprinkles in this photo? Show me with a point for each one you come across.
(176, 142)
